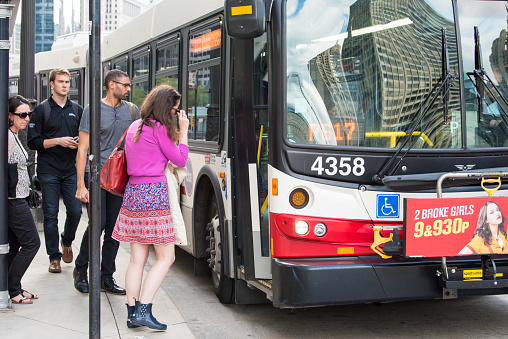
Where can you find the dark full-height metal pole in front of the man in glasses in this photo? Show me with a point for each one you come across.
(95, 189)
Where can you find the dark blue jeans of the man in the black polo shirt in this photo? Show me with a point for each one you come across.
(53, 187)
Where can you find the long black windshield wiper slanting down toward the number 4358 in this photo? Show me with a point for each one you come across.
(447, 81)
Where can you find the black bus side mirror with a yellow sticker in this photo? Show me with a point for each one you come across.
(245, 19)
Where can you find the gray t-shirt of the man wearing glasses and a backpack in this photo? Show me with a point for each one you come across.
(114, 122)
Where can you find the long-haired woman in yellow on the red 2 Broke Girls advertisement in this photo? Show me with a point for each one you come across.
(490, 235)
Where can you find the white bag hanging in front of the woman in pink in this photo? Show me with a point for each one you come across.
(174, 204)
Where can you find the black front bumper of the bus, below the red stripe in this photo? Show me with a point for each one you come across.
(349, 280)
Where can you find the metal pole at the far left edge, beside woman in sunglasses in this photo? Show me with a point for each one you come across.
(5, 14)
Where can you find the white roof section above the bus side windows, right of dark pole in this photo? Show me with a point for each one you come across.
(161, 18)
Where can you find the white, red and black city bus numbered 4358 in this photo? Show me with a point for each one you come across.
(314, 127)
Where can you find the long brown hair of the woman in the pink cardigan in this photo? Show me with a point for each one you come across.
(157, 106)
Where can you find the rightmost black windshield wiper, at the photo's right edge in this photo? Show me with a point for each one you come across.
(480, 77)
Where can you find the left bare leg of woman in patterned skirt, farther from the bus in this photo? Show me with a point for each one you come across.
(134, 273)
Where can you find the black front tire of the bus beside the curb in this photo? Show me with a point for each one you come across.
(223, 285)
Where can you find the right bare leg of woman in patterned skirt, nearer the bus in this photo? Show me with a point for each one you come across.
(165, 258)
